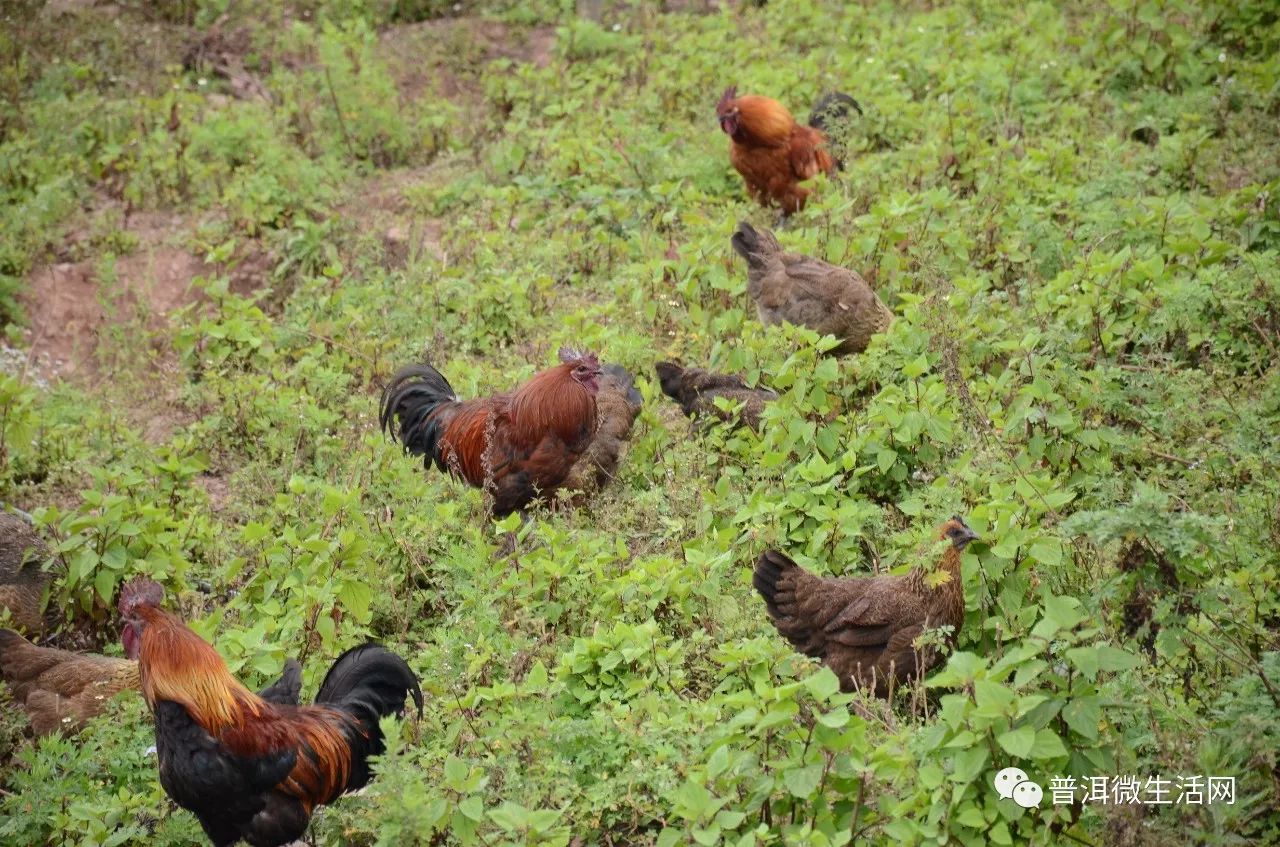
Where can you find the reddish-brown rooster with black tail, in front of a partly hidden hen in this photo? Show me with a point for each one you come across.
(519, 447)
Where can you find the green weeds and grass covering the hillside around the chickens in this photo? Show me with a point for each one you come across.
(1085, 364)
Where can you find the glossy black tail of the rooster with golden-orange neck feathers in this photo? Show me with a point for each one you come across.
(368, 683)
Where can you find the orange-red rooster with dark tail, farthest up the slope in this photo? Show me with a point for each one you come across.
(772, 152)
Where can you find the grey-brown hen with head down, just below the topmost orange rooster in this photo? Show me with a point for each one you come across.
(810, 292)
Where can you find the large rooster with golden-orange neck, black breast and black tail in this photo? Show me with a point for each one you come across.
(248, 768)
